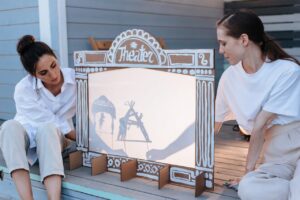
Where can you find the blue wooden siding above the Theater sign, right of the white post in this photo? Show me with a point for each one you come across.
(188, 24)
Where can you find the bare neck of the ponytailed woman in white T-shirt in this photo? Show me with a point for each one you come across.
(253, 60)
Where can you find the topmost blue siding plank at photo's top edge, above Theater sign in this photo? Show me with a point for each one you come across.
(156, 7)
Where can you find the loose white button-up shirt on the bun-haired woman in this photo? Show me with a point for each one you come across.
(35, 105)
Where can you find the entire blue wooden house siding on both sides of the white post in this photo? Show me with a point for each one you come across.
(183, 24)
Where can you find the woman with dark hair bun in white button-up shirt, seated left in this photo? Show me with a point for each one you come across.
(45, 104)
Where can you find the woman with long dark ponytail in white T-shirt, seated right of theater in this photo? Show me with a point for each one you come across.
(261, 91)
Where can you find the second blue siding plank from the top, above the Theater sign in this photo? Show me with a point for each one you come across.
(111, 17)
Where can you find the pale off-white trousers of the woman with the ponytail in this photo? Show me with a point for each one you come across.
(278, 178)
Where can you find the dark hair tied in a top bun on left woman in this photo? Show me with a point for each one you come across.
(30, 52)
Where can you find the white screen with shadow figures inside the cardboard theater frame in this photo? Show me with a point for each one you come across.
(143, 113)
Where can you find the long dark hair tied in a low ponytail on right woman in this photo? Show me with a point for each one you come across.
(247, 22)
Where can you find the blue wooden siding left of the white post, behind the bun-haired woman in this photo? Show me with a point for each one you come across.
(17, 18)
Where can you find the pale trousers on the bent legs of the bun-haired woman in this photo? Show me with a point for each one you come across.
(14, 144)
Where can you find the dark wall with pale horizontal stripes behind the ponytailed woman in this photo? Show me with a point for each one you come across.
(281, 20)
